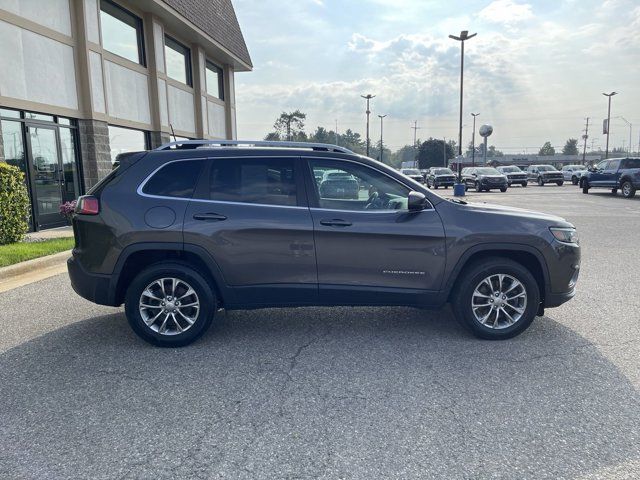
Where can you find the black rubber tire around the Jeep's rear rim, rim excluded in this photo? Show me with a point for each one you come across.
(205, 295)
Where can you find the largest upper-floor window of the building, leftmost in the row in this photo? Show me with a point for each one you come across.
(121, 32)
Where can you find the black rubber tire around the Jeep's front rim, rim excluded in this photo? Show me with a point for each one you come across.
(471, 276)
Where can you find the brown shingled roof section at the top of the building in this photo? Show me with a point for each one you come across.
(218, 19)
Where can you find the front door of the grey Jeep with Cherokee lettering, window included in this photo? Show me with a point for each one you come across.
(370, 249)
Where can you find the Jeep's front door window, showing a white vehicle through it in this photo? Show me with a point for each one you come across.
(350, 186)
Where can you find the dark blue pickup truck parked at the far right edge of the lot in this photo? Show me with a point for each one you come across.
(615, 173)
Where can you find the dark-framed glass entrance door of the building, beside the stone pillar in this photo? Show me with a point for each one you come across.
(47, 178)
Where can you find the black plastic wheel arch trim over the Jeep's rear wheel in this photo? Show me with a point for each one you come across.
(138, 256)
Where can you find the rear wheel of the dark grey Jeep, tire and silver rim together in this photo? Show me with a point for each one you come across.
(170, 304)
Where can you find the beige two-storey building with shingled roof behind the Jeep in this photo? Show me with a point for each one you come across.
(84, 80)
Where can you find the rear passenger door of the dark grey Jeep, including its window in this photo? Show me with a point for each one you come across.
(250, 214)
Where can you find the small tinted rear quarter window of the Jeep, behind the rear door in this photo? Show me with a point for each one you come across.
(176, 179)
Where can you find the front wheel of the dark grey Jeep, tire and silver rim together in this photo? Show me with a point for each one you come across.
(496, 298)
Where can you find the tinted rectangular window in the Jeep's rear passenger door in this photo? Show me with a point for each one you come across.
(269, 181)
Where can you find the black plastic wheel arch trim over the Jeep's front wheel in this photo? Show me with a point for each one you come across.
(529, 257)
